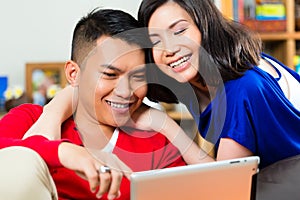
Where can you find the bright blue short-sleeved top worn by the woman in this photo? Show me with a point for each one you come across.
(253, 111)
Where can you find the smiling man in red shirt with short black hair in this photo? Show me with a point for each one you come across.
(107, 71)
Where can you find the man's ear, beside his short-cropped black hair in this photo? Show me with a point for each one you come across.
(72, 72)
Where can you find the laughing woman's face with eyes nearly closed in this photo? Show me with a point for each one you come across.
(176, 40)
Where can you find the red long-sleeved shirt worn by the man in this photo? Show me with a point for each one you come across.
(140, 153)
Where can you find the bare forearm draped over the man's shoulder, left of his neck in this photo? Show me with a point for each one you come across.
(54, 114)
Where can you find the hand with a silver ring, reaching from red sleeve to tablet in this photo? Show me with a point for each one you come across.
(87, 165)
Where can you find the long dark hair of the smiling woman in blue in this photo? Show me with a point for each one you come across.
(232, 47)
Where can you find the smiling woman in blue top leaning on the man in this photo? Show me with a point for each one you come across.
(245, 102)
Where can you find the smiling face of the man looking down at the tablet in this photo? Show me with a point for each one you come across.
(112, 81)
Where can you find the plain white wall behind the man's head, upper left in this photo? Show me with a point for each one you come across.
(41, 31)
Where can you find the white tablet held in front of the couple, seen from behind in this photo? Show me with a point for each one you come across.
(221, 180)
